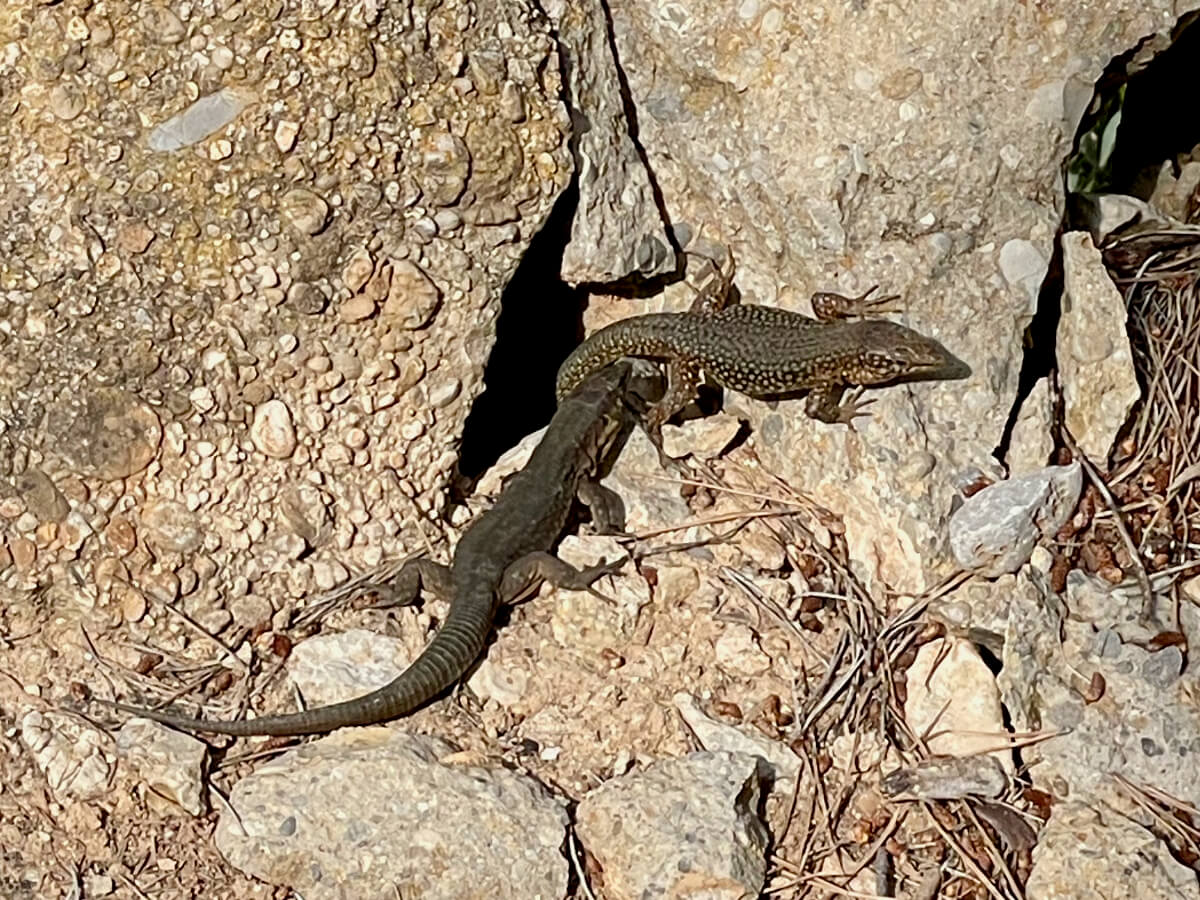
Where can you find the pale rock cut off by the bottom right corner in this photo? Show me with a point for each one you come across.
(1123, 860)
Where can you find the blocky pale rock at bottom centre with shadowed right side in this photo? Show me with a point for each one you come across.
(681, 829)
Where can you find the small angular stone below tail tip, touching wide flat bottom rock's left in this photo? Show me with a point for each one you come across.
(170, 763)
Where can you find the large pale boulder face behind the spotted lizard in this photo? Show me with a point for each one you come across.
(829, 161)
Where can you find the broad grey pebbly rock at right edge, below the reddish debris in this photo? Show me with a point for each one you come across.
(1115, 709)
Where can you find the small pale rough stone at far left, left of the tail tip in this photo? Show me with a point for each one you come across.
(70, 755)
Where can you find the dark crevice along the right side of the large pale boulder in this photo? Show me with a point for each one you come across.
(1154, 129)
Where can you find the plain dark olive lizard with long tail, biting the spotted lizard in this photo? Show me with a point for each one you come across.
(501, 557)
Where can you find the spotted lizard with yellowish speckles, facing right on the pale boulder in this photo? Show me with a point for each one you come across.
(767, 352)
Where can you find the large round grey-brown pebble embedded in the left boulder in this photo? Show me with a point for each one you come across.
(109, 434)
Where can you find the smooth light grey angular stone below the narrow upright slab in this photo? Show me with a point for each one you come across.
(997, 530)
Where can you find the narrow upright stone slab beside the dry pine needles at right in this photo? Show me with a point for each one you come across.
(1100, 385)
